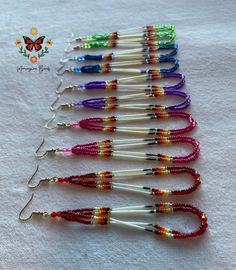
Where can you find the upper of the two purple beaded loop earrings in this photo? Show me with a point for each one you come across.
(128, 83)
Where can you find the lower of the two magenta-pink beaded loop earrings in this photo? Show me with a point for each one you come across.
(113, 148)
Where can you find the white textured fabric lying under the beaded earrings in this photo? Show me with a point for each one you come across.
(206, 37)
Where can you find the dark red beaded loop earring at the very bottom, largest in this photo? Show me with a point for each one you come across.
(106, 215)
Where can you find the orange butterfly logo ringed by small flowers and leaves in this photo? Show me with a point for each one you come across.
(33, 49)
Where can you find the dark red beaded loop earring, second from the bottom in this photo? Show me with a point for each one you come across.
(109, 180)
